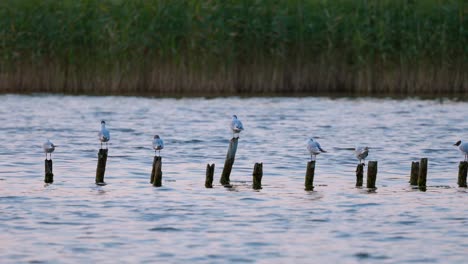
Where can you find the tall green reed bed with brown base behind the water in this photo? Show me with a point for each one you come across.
(224, 47)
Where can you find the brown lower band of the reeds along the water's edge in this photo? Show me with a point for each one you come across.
(252, 80)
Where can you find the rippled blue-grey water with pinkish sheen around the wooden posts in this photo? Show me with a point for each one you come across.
(129, 221)
